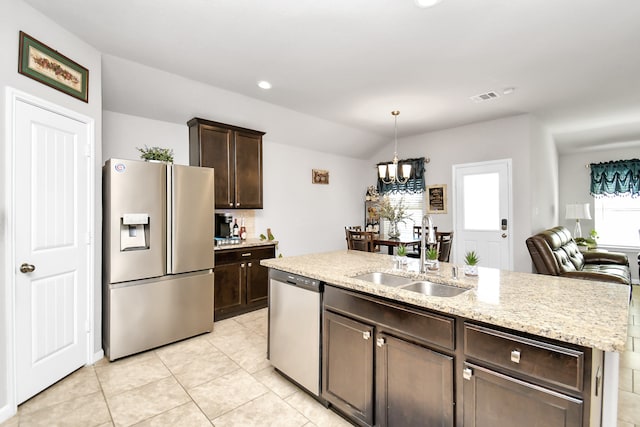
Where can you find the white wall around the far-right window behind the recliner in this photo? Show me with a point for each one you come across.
(575, 181)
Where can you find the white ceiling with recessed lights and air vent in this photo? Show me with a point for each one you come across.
(575, 64)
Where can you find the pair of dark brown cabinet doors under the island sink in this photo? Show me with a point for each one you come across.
(413, 384)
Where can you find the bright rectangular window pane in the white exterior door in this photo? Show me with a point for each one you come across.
(482, 202)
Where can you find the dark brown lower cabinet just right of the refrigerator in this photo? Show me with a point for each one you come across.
(240, 283)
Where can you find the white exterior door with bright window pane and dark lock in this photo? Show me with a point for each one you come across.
(482, 213)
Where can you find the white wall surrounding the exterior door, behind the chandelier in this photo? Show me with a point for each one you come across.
(497, 139)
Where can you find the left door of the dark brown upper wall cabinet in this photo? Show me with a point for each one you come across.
(216, 151)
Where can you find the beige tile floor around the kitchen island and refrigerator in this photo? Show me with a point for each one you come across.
(224, 379)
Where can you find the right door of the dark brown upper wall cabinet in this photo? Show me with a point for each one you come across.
(248, 166)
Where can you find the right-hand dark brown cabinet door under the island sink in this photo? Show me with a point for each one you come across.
(414, 385)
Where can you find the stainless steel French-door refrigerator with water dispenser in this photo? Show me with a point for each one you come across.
(158, 254)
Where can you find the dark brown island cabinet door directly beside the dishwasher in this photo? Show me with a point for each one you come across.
(347, 373)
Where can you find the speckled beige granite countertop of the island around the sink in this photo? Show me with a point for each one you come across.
(587, 313)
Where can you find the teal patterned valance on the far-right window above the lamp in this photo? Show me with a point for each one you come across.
(615, 178)
